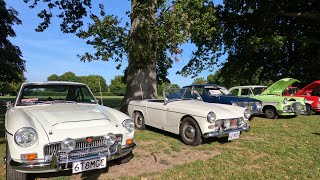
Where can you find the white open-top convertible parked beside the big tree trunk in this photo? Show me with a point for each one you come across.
(183, 112)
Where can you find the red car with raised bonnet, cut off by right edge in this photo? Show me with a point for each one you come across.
(312, 94)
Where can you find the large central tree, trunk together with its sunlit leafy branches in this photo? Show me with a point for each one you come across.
(157, 29)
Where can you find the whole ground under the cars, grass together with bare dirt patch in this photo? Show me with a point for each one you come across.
(285, 148)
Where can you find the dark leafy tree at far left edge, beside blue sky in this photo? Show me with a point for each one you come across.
(12, 65)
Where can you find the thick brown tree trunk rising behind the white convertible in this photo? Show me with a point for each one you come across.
(141, 71)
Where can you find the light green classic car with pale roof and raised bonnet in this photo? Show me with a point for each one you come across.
(273, 103)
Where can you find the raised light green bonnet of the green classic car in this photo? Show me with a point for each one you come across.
(278, 87)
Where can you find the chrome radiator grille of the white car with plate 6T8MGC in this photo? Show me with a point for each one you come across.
(83, 148)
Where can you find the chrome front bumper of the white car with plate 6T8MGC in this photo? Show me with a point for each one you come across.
(53, 166)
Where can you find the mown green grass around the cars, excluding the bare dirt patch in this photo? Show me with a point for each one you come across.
(273, 149)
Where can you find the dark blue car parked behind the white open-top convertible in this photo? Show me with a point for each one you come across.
(213, 93)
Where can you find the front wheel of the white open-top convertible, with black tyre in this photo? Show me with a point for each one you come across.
(190, 132)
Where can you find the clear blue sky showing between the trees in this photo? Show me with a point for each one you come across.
(52, 52)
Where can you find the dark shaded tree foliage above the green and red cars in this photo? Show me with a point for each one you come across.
(269, 40)
